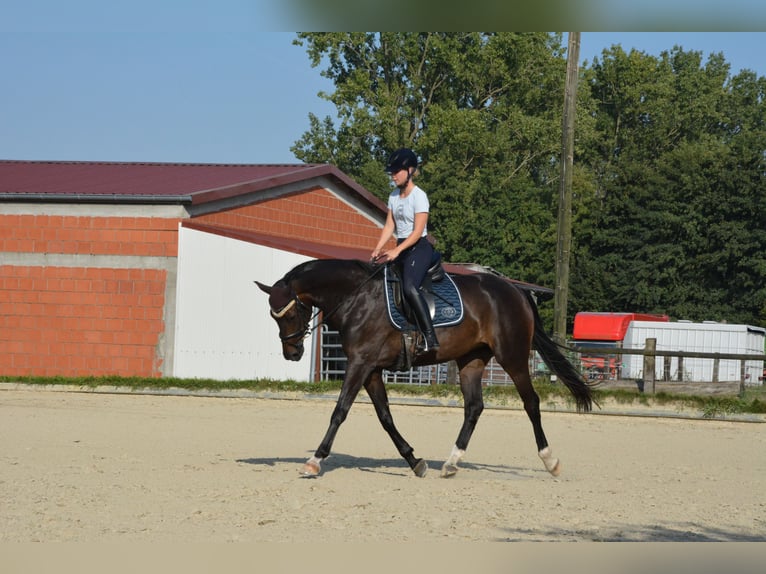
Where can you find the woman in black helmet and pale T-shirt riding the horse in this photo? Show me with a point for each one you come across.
(407, 219)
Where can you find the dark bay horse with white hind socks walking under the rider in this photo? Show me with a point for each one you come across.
(500, 320)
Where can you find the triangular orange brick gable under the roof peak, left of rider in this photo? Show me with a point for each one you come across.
(317, 216)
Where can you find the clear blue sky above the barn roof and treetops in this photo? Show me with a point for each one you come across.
(200, 90)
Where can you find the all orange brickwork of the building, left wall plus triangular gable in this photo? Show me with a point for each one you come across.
(96, 321)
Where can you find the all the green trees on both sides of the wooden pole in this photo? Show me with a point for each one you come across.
(670, 162)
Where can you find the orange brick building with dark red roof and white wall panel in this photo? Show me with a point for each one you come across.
(147, 269)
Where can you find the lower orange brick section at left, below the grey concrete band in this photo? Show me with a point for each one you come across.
(76, 321)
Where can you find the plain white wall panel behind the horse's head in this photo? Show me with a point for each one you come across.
(223, 327)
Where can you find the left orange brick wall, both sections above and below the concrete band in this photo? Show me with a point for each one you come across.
(74, 321)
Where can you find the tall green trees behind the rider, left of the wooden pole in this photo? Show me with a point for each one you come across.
(483, 112)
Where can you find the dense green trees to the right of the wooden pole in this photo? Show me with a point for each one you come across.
(680, 176)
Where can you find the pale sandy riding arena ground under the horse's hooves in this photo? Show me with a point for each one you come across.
(91, 467)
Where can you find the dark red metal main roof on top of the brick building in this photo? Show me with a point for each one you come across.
(152, 182)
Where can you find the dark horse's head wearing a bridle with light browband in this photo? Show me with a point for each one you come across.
(292, 316)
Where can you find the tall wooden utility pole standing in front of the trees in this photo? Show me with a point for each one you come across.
(564, 234)
